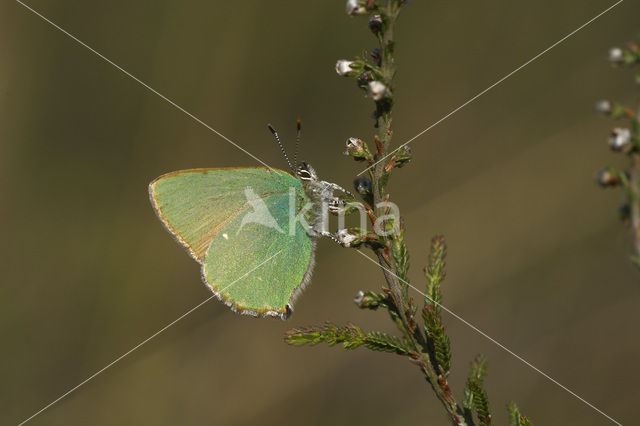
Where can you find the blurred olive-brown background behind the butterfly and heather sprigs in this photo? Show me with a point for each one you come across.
(538, 258)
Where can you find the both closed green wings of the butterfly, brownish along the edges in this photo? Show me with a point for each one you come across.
(236, 223)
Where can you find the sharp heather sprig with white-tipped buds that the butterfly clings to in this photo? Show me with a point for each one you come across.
(422, 335)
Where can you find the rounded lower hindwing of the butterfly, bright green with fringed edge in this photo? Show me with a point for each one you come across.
(269, 288)
